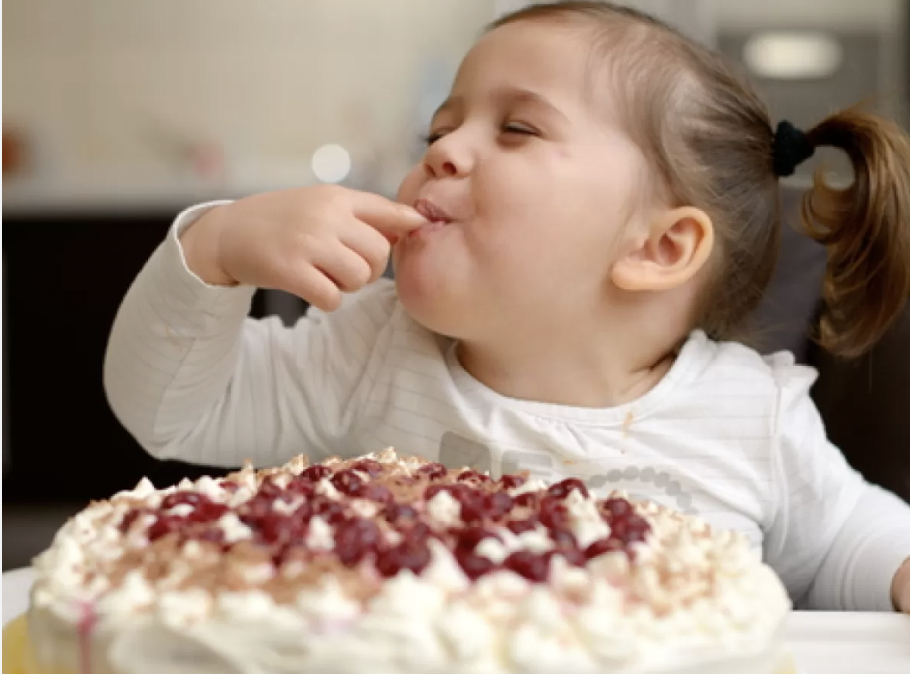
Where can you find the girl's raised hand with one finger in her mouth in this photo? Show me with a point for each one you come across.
(313, 242)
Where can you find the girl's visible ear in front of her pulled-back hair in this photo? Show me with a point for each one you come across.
(678, 244)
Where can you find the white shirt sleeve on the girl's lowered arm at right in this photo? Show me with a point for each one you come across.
(836, 541)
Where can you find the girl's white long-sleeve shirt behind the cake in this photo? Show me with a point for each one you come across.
(727, 434)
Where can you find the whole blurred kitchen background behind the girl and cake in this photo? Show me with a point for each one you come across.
(117, 114)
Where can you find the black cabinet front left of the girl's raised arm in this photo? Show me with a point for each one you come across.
(65, 276)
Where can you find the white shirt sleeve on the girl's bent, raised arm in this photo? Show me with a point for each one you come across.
(191, 377)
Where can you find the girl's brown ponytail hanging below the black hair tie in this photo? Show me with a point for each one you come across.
(865, 228)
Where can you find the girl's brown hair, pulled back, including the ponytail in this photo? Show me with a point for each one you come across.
(710, 139)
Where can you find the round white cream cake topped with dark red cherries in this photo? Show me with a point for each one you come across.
(394, 565)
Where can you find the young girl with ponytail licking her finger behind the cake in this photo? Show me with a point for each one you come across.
(597, 210)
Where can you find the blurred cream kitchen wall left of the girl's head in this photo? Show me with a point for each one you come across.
(98, 81)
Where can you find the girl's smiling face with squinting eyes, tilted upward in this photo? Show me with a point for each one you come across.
(531, 185)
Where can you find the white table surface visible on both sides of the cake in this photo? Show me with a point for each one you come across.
(823, 642)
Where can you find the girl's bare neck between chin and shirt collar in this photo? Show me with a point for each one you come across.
(569, 365)
